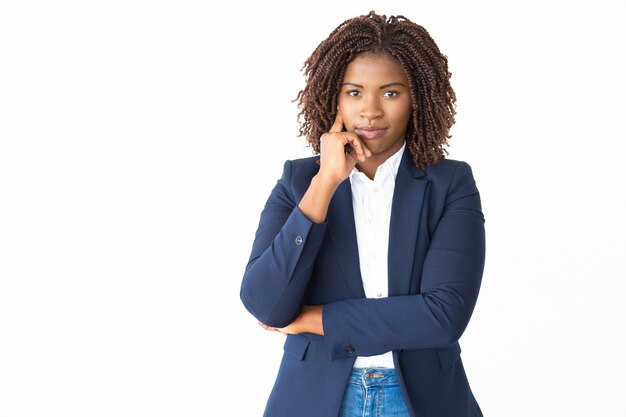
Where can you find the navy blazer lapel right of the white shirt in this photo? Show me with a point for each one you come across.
(406, 209)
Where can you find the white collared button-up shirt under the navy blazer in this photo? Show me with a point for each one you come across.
(371, 202)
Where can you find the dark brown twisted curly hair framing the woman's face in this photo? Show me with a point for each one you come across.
(433, 99)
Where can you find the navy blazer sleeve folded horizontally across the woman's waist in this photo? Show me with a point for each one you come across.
(451, 278)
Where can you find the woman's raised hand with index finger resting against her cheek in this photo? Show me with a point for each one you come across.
(335, 164)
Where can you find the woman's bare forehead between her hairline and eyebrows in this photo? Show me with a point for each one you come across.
(374, 68)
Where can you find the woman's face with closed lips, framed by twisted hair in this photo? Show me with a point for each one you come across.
(375, 102)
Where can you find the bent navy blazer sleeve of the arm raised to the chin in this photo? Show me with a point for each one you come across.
(283, 253)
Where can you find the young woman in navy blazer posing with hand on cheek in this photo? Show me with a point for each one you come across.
(369, 256)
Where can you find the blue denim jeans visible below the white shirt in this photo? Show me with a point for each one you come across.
(373, 392)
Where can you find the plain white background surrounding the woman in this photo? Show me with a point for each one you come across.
(140, 139)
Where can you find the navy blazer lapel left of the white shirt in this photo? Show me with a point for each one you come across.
(343, 234)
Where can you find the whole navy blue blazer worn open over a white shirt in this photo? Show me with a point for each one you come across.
(436, 259)
